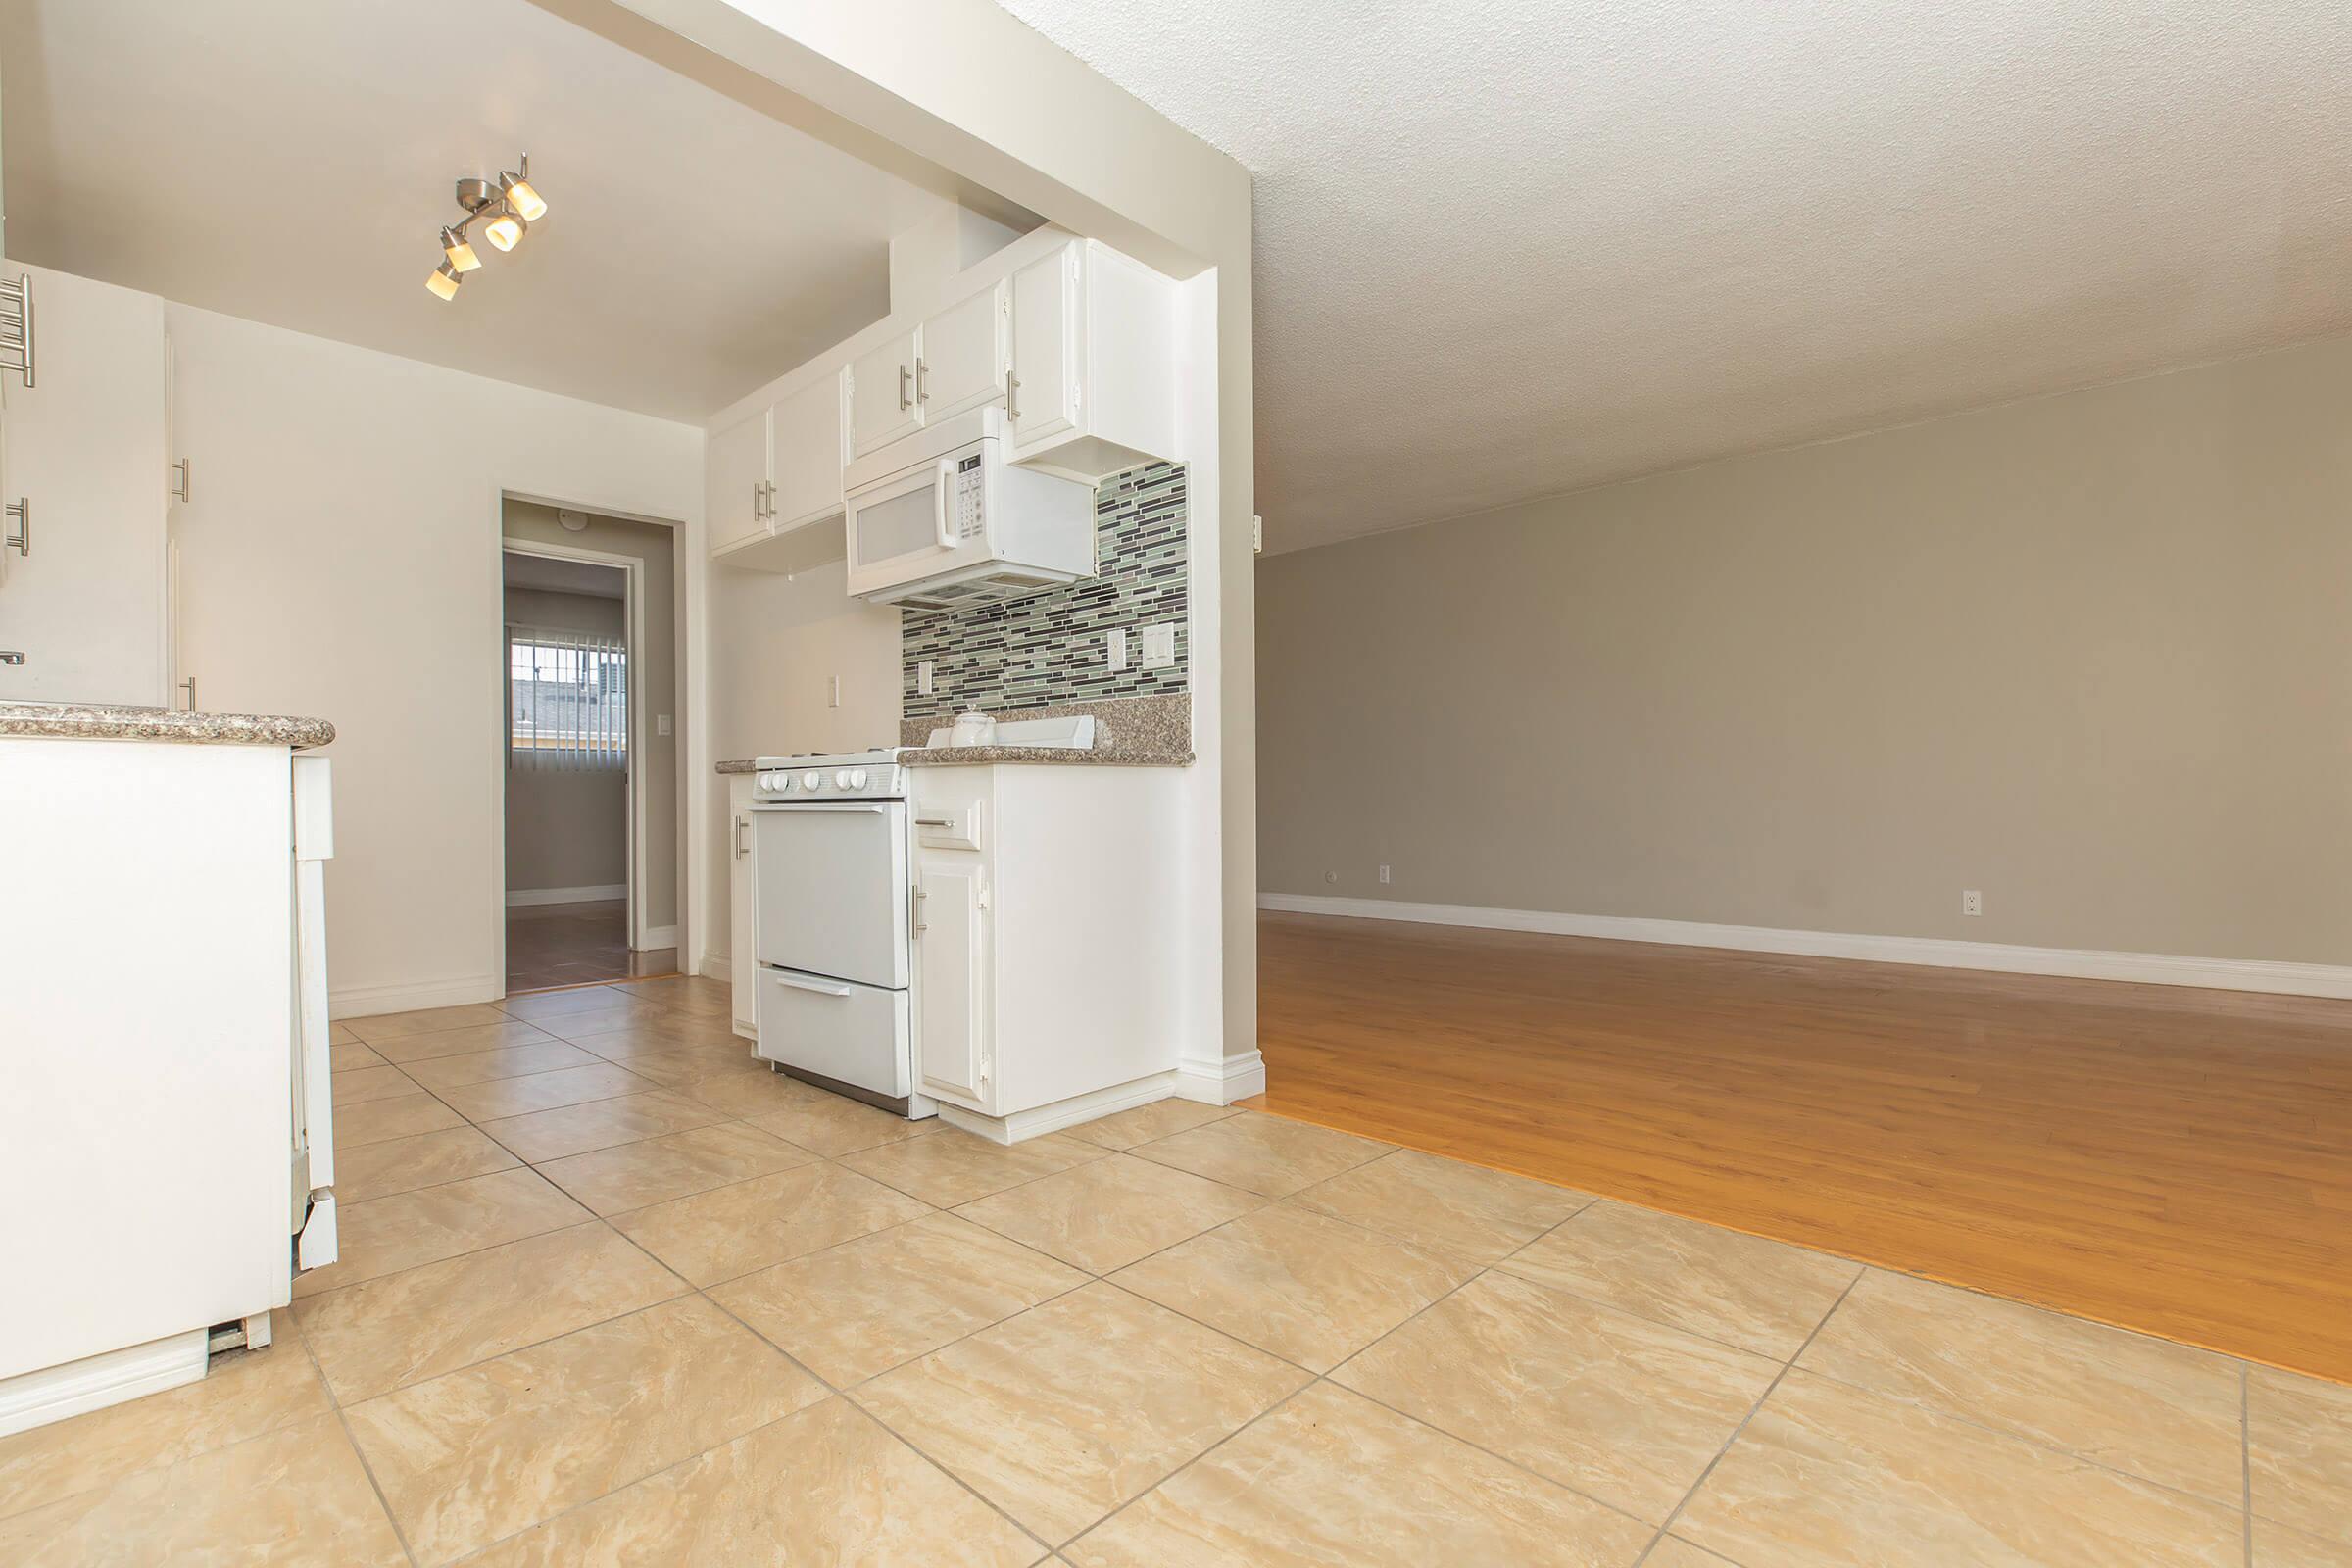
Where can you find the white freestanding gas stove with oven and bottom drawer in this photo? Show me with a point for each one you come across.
(834, 925)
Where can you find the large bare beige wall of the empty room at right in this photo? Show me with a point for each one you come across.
(2090, 655)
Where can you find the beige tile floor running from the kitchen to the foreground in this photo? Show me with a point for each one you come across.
(615, 1294)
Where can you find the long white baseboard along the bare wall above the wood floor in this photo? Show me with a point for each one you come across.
(1939, 953)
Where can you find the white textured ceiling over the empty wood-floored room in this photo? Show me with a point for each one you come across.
(1511, 248)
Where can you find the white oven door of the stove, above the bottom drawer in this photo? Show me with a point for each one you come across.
(831, 892)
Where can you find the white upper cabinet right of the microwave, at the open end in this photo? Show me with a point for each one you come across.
(1093, 363)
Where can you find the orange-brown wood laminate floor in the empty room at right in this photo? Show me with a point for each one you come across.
(2165, 1160)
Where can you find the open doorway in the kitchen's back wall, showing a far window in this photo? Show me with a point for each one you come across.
(587, 737)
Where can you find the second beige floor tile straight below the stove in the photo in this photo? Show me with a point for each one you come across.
(751, 1226)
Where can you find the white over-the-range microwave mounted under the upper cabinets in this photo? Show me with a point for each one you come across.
(951, 523)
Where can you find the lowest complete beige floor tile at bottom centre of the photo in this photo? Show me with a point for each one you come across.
(1071, 1409)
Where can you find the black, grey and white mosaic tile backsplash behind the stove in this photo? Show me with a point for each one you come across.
(1050, 645)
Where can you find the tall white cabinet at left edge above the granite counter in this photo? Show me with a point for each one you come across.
(83, 467)
